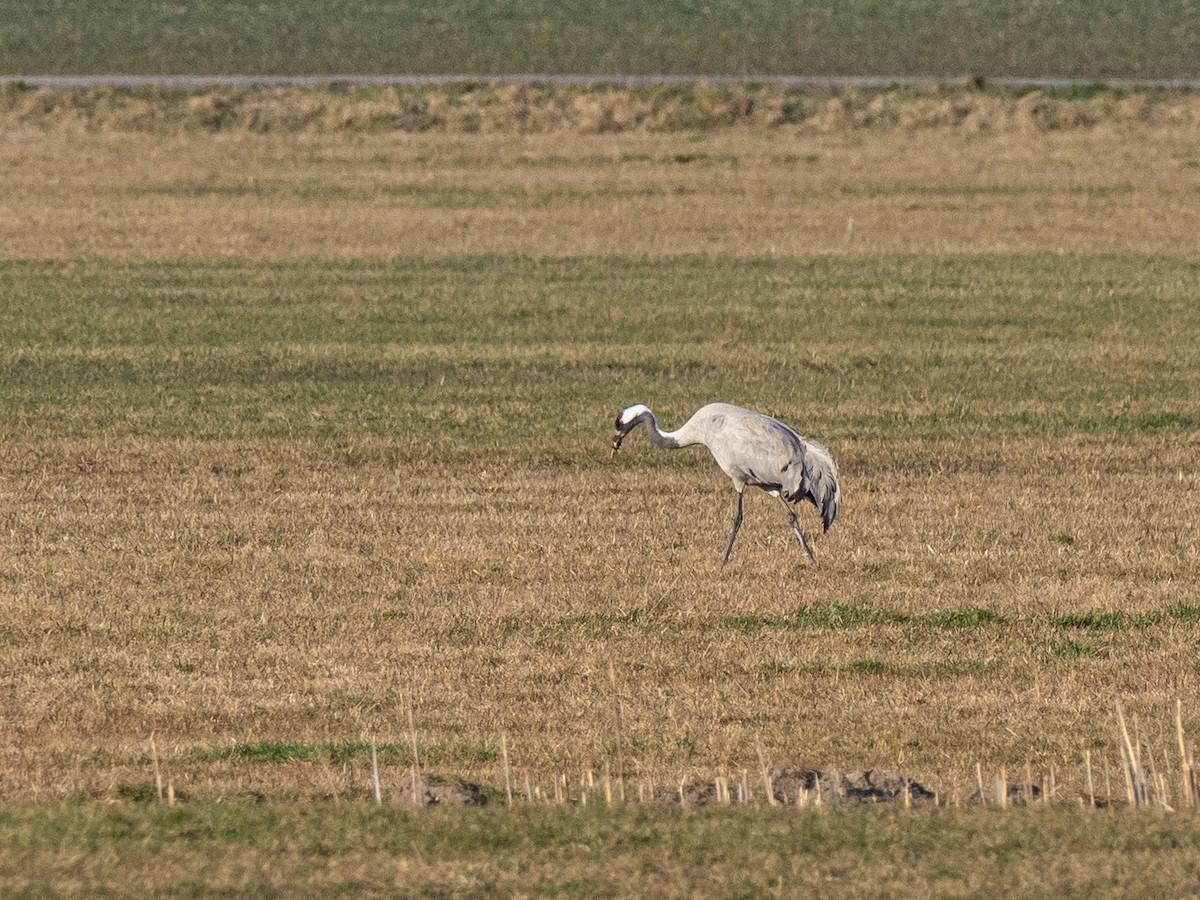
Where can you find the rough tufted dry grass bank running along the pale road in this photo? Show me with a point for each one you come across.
(530, 109)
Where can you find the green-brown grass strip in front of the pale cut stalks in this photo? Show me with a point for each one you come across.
(313, 850)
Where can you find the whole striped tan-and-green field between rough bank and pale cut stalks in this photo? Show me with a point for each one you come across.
(305, 431)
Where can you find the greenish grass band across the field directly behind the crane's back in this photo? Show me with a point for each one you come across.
(518, 359)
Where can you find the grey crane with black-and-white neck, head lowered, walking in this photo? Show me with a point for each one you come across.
(752, 449)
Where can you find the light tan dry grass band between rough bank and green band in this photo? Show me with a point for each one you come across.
(745, 193)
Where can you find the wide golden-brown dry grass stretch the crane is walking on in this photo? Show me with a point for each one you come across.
(273, 596)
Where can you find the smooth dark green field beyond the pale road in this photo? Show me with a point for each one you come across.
(1153, 39)
